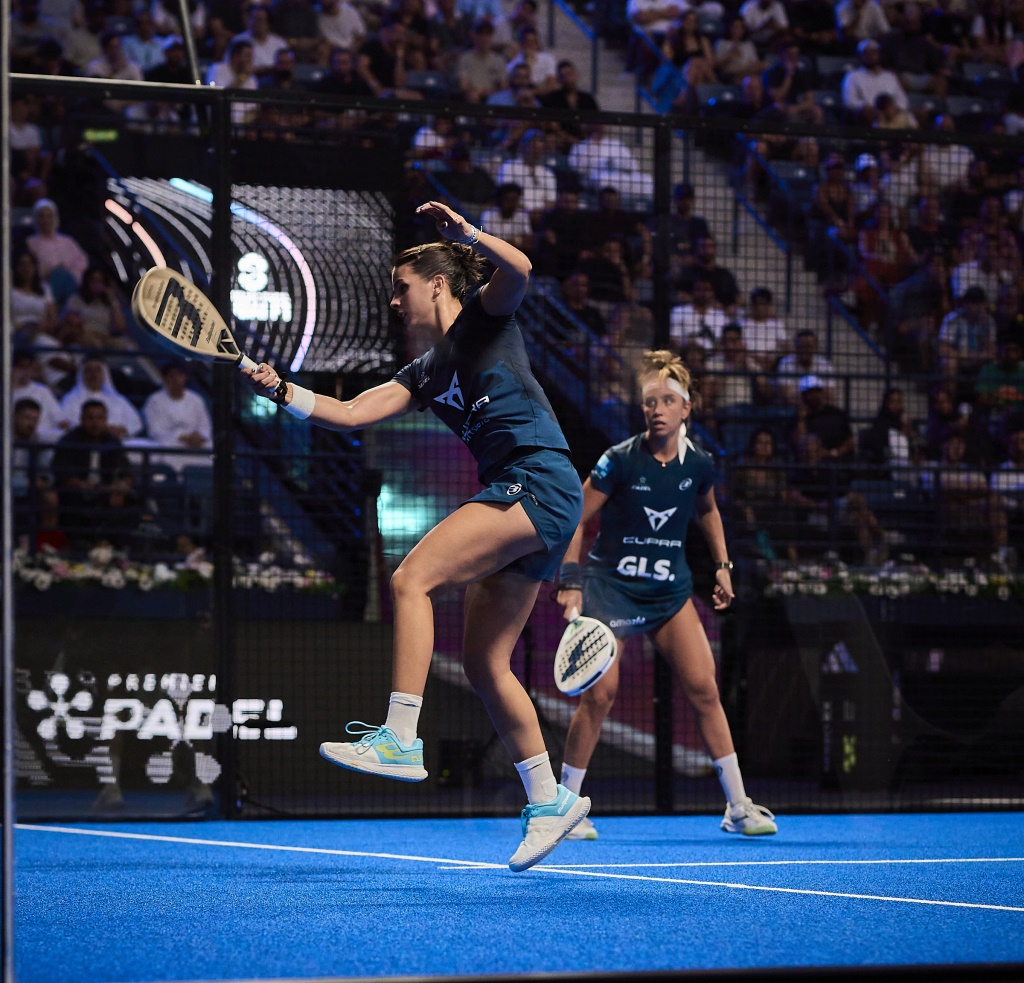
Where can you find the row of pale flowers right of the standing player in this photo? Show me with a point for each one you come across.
(893, 580)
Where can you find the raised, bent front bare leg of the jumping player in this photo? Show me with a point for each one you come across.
(475, 542)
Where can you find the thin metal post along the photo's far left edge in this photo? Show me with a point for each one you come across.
(8, 873)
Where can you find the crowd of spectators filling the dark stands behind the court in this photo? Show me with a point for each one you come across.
(921, 242)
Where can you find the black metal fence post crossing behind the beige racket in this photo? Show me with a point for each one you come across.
(224, 449)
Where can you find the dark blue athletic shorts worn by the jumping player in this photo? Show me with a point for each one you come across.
(549, 489)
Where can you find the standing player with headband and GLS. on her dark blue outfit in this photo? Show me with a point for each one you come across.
(648, 489)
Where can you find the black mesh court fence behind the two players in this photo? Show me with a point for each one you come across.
(183, 651)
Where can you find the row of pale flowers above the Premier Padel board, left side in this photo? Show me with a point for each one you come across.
(108, 568)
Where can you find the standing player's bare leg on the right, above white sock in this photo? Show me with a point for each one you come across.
(684, 643)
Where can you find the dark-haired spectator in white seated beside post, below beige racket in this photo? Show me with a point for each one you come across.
(177, 418)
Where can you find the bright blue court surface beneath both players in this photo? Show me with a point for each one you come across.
(360, 899)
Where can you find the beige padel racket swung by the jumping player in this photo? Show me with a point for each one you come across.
(183, 319)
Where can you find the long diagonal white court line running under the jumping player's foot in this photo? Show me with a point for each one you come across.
(474, 865)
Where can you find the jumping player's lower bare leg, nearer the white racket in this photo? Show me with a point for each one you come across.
(497, 610)
